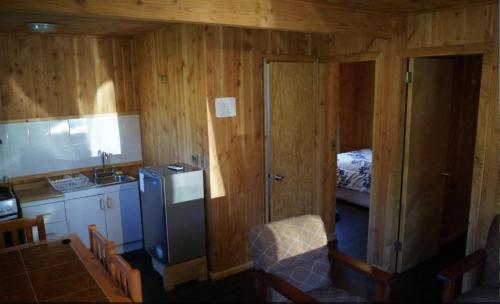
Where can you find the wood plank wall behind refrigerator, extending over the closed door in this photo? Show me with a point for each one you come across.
(177, 111)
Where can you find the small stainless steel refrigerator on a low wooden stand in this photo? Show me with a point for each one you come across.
(173, 213)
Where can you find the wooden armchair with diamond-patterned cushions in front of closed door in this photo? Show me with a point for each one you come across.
(293, 262)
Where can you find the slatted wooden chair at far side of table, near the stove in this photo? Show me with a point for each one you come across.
(26, 225)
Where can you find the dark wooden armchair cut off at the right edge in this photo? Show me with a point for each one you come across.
(486, 261)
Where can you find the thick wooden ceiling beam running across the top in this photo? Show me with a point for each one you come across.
(302, 16)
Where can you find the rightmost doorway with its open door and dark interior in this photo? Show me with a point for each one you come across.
(440, 137)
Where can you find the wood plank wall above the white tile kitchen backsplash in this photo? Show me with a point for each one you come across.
(62, 75)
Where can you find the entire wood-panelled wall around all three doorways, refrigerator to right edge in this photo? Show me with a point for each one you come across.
(182, 68)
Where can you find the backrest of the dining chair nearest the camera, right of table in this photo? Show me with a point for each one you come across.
(126, 278)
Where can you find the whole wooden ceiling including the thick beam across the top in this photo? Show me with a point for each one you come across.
(97, 17)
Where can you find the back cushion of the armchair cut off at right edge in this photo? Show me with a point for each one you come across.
(491, 267)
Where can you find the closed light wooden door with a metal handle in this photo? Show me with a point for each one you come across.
(292, 144)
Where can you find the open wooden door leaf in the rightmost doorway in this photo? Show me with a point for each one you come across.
(426, 142)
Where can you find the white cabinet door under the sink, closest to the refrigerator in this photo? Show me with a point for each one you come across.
(123, 216)
